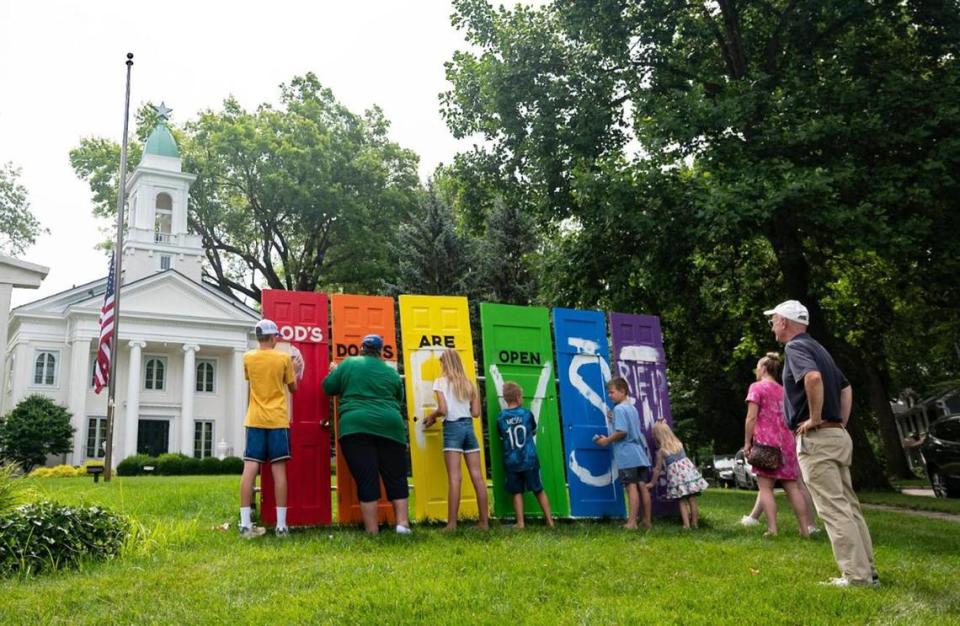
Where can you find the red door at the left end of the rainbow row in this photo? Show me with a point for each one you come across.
(302, 319)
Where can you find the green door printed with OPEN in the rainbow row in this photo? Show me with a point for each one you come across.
(517, 346)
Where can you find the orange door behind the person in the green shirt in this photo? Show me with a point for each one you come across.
(354, 317)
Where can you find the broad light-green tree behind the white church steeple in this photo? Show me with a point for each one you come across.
(300, 196)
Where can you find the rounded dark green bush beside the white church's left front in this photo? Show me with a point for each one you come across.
(36, 427)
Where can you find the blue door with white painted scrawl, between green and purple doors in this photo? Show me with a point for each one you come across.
(583, 369)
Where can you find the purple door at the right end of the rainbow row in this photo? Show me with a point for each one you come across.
(639, 358)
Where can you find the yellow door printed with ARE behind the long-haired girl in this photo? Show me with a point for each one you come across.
(428, 325)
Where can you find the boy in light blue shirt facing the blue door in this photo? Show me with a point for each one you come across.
(629, 450)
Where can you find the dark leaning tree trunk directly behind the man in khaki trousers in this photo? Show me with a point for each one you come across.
(866, 470)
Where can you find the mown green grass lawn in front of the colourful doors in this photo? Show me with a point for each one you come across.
(186, 572)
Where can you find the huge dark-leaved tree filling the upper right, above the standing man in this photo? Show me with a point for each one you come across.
(813, 135)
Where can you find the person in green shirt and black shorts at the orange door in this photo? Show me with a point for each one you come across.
(372, 433)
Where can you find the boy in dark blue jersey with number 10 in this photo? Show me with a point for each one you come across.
(517, 427)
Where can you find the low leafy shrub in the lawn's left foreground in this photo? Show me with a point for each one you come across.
(48, 536)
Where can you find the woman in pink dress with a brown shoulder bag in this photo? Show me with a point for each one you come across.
(765, 425)
